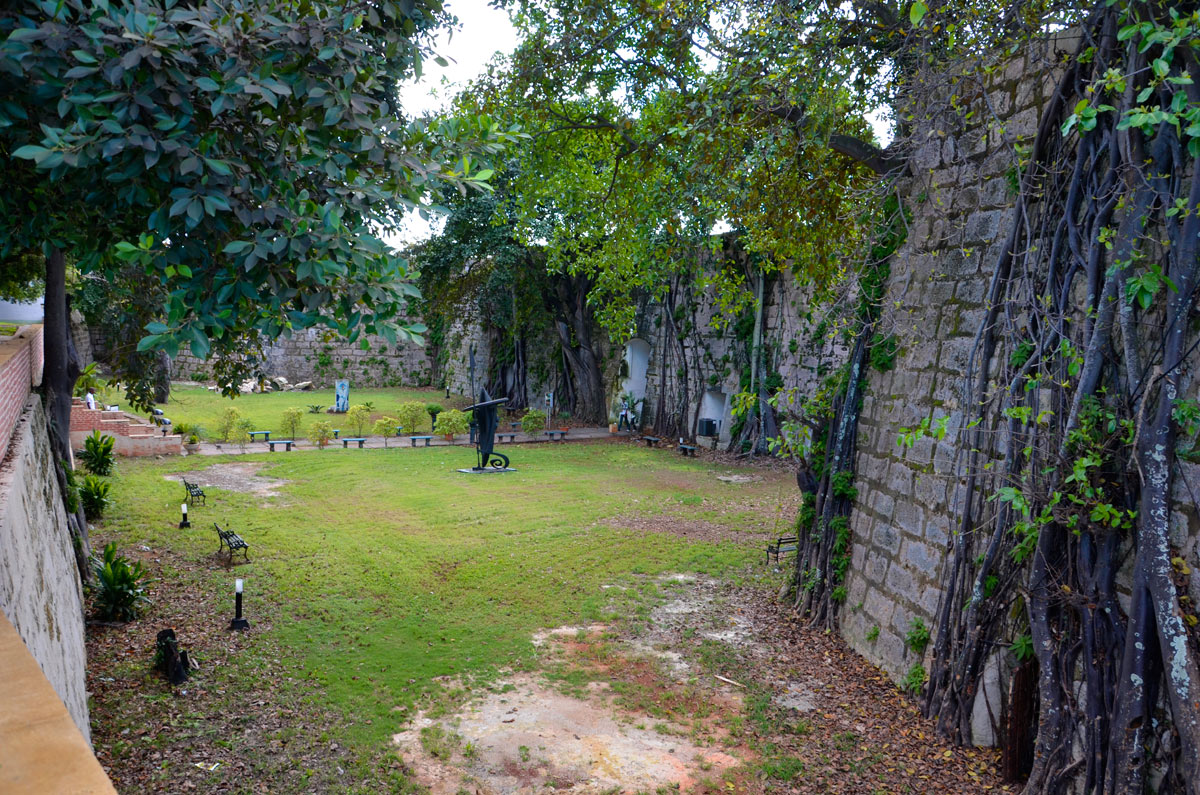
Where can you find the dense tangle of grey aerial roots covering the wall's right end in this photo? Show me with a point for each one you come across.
(1079, 413)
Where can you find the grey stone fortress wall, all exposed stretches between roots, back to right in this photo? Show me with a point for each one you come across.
(959, 190)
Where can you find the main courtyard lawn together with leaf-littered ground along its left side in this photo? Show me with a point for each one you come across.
(373, 575)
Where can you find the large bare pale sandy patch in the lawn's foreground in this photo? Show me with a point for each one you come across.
(527, 738)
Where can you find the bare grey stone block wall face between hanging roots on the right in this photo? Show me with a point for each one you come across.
(961, 194)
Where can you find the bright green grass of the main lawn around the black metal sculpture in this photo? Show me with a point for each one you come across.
(379, 571)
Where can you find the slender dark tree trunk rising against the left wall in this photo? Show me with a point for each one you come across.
(61, 372)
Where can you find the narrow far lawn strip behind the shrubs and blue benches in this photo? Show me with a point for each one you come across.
(197, 405)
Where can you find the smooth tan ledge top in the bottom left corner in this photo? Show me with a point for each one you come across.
(41, 749)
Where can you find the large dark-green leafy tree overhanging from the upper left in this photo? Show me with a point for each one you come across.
(230, 165)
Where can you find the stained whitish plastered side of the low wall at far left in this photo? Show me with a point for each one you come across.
(40, 589)
